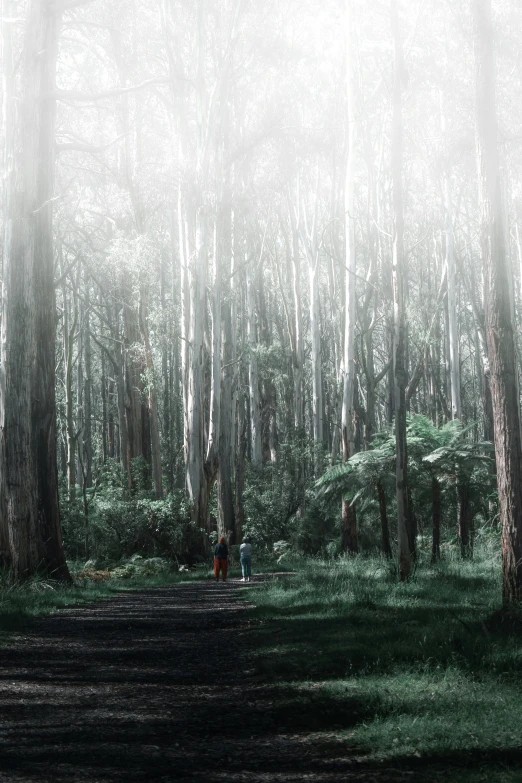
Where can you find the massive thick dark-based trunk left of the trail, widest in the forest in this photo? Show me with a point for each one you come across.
(28, 409)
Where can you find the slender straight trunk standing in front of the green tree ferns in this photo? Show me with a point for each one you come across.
(399, 316)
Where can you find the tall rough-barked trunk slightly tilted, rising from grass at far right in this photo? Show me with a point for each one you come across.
(499, 326)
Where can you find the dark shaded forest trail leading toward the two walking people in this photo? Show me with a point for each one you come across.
(155, 685)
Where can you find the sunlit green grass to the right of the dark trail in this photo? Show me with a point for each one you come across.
(425, 675)
